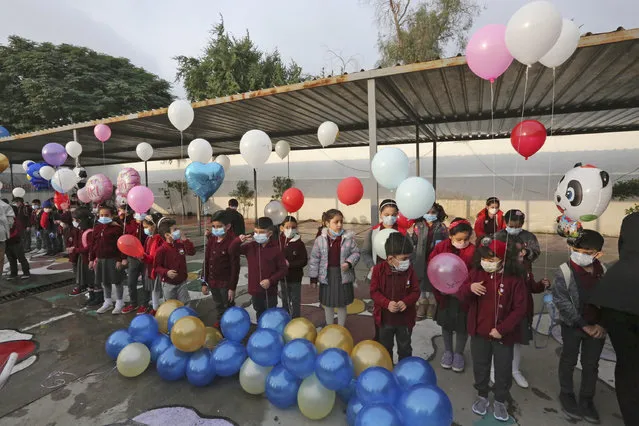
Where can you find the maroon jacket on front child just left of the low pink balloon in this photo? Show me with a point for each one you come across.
(388, 285)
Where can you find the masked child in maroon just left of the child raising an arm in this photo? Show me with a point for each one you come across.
(221, 269)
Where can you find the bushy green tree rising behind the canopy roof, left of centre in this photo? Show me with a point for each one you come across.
(232, 65)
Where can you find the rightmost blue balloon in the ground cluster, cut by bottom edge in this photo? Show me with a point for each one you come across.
(425, 405)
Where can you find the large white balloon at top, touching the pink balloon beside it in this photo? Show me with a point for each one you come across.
(532, 31)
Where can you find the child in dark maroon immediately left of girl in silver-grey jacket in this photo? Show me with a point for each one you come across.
(296, 258)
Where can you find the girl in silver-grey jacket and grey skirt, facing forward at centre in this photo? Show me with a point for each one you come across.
(333, 259)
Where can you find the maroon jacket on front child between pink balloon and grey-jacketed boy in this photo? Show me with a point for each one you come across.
(511, 305)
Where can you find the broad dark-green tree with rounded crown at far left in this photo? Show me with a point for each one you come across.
(45, 85)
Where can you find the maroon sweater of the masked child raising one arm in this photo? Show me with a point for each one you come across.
(264, 262)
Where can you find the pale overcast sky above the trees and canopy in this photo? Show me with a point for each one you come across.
(151, 32)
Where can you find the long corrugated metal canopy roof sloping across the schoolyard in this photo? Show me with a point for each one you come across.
(596, 91)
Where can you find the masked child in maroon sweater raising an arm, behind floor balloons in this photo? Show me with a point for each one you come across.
(266, 264)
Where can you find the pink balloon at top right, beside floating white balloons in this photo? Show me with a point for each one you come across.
(487, 54)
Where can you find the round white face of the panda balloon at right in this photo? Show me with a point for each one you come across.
(583, 194)
